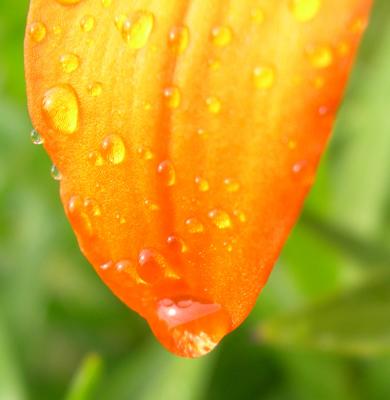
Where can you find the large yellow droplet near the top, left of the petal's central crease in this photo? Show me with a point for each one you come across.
(136, 31)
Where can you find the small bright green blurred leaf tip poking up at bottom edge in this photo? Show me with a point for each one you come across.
(86, 380)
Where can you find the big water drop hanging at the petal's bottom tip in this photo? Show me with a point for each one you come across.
(191, 327)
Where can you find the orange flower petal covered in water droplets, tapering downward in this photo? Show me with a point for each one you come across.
(187, 134)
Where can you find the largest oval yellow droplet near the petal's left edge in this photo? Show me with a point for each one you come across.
(61, 109)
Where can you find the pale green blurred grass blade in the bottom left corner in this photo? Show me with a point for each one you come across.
(11, 386)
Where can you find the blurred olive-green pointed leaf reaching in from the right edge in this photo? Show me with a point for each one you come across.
(357, 322)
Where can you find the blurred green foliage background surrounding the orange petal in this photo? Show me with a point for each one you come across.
(320, 330)
